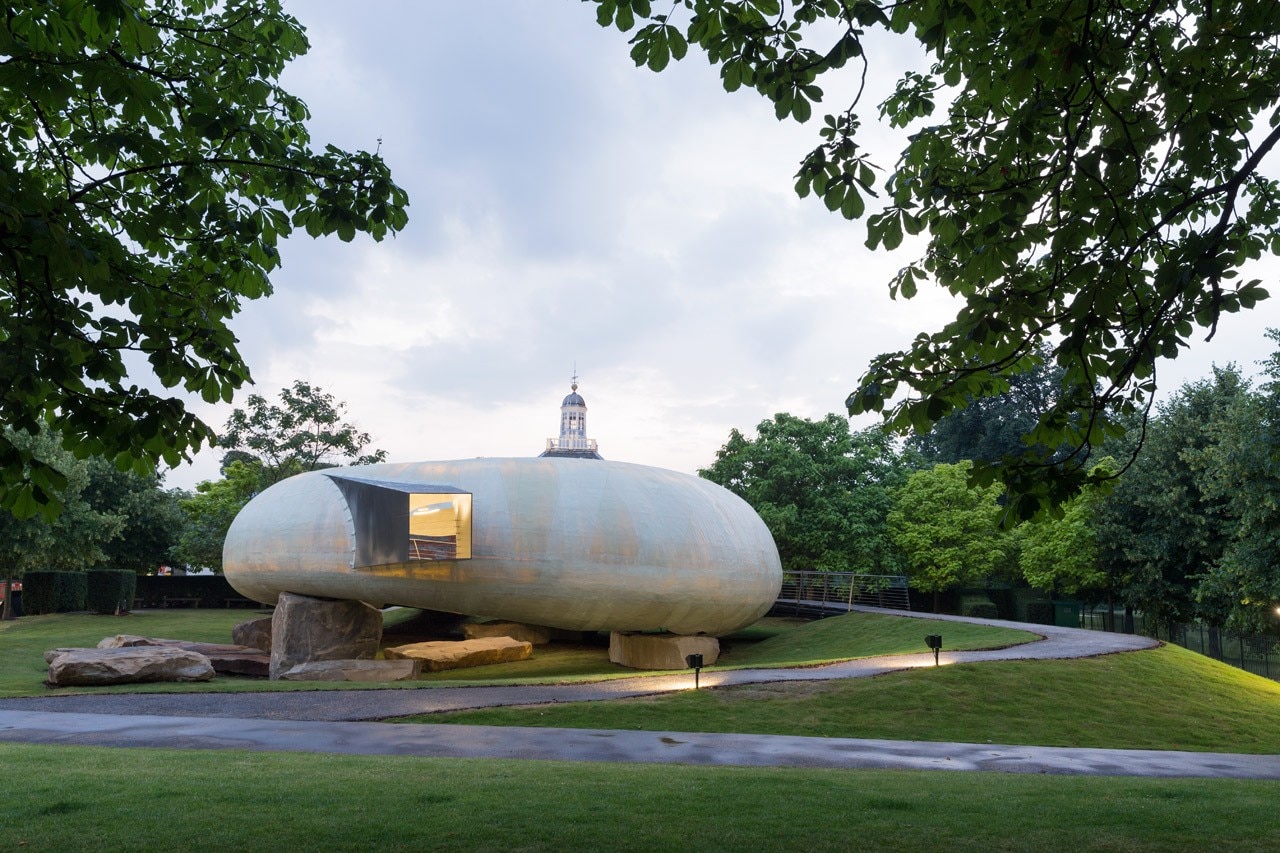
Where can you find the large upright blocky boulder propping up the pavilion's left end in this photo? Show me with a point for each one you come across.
(313, 630)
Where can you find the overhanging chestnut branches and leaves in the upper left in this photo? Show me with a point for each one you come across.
(150, 165)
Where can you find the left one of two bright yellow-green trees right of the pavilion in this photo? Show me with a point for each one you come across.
(949, 530)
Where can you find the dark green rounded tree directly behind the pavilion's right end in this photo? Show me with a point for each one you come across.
(822, 491)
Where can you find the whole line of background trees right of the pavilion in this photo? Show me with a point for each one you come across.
(1190, 531)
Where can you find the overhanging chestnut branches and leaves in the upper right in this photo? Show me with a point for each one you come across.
(1085, 175)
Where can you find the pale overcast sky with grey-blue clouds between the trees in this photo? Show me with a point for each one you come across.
(572, 209)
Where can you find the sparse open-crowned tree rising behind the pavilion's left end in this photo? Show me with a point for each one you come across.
(301, 434)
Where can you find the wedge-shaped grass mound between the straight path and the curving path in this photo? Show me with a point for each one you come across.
(1165, 699)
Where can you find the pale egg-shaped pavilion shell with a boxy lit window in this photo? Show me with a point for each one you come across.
(582, 545)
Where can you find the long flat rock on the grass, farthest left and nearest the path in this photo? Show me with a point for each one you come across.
(85, 667)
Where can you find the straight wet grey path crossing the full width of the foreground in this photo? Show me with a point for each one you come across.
(612, 746)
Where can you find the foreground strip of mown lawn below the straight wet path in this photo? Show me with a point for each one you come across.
(81, 799)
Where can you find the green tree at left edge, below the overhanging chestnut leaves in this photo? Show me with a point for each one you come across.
(74, 541)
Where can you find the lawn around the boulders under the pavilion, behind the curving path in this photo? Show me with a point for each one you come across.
(770, 644)
